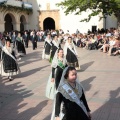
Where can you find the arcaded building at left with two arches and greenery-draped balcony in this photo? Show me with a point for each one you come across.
(14, 15)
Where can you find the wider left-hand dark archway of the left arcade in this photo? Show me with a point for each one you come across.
(8, 23)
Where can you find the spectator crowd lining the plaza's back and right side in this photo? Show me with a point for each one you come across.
(105, 41)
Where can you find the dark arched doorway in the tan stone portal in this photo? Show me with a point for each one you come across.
(49, 23)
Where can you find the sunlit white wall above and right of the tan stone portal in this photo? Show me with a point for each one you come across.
(71, 22)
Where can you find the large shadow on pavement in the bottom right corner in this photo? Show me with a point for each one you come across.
(111, 109)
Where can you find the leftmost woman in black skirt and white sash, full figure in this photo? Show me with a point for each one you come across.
(9, 65)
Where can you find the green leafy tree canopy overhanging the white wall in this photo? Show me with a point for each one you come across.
(106, 7)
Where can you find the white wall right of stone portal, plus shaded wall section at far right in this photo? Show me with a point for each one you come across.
(72, 22)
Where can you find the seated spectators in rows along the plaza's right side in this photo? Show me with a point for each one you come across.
(108, 42)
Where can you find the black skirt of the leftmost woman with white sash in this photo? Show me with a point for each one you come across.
(9, 64)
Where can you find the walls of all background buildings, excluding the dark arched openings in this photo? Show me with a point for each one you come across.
(70, 22)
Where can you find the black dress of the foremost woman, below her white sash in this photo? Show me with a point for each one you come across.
(70, 109)
